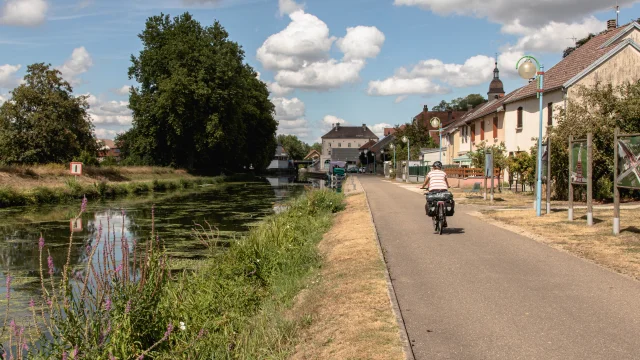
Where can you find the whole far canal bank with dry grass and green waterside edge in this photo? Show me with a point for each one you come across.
(51, 184)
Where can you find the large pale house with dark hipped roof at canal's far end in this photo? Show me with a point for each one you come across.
(342, 143)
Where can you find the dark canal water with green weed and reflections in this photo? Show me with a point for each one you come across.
(232, 208)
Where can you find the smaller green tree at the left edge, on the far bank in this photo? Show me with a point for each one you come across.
(43, 122)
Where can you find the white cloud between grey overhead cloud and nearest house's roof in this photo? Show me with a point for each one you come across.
(552, 37)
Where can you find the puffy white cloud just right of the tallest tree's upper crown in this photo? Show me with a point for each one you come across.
(306, 39)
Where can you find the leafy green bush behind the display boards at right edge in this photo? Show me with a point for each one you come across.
(599, 110)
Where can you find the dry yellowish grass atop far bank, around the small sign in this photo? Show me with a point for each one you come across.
(54, 175)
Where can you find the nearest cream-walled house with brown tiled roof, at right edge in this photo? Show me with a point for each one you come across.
(612, 57)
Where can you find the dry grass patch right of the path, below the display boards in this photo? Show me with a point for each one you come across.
(598, 244)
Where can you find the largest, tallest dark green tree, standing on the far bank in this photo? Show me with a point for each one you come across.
(198, 105)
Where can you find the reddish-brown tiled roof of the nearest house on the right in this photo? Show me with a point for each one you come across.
(580, 59)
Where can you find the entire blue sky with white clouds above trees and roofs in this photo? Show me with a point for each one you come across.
(353, 62)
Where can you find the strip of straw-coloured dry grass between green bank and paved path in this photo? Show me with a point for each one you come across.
(349, 312)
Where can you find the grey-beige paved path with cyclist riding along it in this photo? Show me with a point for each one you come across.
(481, 292)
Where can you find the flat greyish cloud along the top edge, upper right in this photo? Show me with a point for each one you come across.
(529, 13)
